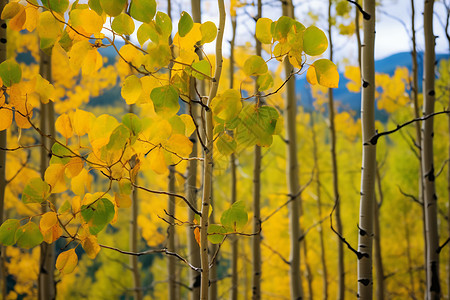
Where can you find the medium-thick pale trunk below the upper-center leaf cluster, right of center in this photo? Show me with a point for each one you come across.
(292, 172)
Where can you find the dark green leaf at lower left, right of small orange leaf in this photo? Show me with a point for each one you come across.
(98, 214)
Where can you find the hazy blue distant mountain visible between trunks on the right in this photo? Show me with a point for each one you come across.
(352, 101)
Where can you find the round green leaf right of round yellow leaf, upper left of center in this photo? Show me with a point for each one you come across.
(165, 100)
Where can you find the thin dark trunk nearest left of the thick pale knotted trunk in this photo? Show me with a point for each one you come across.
(339, 229)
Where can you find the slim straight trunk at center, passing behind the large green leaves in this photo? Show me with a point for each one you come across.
(256, 207)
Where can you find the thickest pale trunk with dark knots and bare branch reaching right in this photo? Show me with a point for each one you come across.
(365, 280)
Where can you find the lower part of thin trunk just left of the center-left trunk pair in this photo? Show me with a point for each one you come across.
(171, 262)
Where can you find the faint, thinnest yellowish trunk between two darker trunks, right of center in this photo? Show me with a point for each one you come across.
(319, 208)
